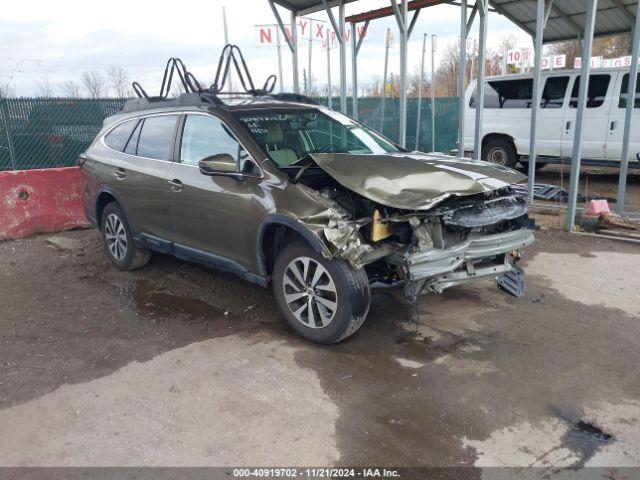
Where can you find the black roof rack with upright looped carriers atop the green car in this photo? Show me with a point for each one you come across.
(196, 95)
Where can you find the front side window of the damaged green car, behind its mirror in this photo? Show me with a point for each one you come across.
(204, 136)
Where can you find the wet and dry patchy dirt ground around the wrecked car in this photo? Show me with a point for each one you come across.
(177, 365)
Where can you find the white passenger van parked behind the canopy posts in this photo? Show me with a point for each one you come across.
(507, 118)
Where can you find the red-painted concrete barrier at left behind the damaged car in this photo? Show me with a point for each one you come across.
(37, 201)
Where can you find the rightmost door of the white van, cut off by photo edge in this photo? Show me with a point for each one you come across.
(617, 118)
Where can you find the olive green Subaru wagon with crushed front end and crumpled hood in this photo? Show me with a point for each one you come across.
(282, 191)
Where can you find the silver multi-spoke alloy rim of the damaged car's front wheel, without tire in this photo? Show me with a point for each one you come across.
(310, 292)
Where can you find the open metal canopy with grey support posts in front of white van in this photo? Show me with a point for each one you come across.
(547, 21)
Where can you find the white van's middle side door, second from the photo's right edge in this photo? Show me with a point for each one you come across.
(596, 117)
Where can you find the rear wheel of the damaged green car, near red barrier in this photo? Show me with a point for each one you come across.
(118, 240)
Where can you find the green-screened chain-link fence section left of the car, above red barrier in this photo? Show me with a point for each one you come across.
(49, 132)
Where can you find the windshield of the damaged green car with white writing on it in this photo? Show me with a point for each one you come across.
(288, 136)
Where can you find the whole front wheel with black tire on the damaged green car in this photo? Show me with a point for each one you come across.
(323, 300)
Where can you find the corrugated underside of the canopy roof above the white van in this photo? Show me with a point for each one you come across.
(567, 17)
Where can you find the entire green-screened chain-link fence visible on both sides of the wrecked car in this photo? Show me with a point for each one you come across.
(44, 133)
